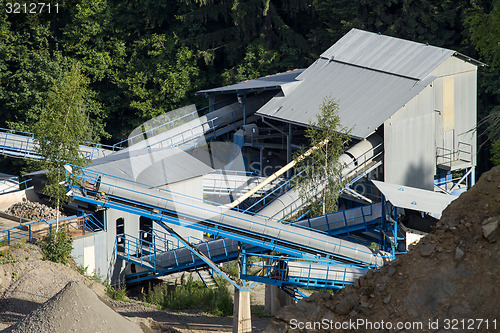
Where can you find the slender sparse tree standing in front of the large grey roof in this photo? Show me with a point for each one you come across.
(321, 179)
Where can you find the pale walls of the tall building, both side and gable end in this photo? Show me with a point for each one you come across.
(442, 115)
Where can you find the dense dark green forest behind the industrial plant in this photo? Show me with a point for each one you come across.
(147, 57)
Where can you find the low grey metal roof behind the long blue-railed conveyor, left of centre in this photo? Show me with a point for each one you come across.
(153, 167)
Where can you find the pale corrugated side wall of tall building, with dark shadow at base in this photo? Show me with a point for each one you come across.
(409, 143)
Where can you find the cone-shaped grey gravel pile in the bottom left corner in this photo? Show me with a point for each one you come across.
(74, 309)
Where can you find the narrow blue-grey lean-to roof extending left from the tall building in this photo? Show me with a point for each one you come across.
(275, 81)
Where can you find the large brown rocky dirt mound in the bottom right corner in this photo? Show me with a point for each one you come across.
(450, 279)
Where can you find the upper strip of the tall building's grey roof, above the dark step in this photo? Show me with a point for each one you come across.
(387, 54)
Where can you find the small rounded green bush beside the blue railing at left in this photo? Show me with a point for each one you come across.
(57, 246)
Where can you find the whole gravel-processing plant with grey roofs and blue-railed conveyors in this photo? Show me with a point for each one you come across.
(411, 109)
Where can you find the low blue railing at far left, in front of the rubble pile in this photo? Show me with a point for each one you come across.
(38, 229)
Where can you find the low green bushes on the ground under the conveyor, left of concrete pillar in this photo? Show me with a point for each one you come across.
(191, 295)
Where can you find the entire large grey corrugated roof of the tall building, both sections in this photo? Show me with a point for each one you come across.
(370, 76)
